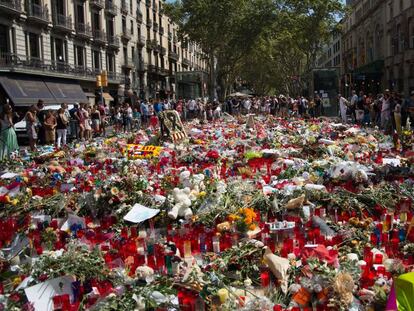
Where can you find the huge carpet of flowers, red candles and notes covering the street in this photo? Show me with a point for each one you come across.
(280, 215)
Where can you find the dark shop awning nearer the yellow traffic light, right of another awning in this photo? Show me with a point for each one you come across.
(66, 92)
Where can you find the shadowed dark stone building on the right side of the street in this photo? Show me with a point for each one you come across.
(378, 46)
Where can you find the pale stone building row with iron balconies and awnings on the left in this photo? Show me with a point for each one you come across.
(53, 49)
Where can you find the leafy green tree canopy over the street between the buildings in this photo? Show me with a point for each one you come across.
(263, 42)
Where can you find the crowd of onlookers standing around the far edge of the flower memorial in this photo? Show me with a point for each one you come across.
(389, 111)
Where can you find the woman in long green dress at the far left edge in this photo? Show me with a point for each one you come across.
(8, 138)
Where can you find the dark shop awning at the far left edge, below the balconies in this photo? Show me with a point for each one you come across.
(26, 91)
